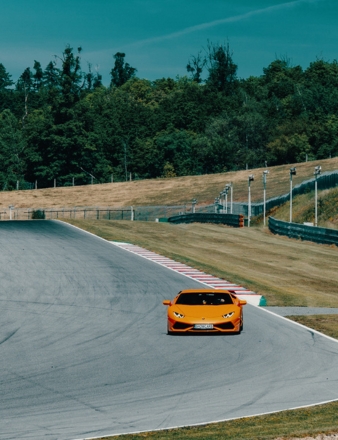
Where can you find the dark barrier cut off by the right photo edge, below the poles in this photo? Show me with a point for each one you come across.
(304, 232)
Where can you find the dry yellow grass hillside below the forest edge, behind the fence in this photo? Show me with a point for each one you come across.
(175, 191)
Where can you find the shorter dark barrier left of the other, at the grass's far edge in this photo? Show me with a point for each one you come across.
(234, 220)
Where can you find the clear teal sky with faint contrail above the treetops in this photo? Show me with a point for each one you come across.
(159, 36)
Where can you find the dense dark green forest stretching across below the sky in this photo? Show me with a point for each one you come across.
(62, 123)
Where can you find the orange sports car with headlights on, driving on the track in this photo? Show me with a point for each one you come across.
(205, 310)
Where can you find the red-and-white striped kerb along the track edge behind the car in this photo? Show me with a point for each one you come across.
(251, 297)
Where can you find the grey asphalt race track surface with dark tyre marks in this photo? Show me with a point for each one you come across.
(84, 351)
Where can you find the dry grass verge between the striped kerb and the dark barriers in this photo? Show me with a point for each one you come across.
(287, 272)
